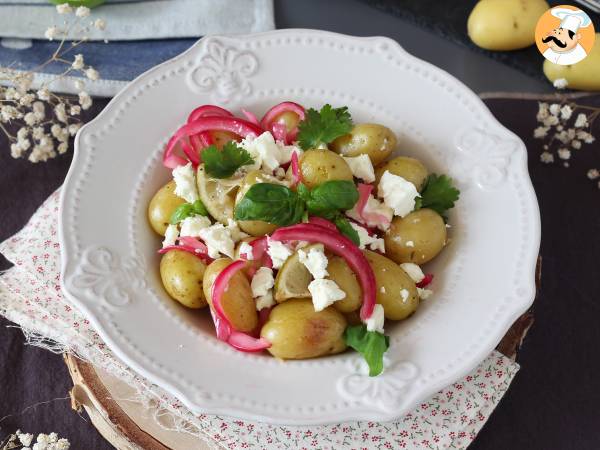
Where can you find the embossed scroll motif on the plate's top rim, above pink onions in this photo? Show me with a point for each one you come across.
(224, 71)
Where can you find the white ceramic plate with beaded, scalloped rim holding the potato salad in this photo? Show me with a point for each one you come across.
(484, 279)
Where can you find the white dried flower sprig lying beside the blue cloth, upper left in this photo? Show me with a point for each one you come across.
(38, 123)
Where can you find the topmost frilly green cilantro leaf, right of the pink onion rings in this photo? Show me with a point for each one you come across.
(324, 126)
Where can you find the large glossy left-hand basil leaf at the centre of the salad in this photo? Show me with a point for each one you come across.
(273, 203)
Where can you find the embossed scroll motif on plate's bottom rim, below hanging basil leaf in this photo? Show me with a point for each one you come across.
(385, 392)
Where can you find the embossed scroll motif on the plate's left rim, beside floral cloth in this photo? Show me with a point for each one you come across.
(102, 273)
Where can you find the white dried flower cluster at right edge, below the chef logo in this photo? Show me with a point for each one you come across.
(564, 129)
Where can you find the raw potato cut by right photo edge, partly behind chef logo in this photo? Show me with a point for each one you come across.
(585, 75)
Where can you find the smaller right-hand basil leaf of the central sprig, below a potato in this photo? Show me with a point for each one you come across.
(332, 196)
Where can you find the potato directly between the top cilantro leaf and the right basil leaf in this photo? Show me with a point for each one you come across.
(321, 165)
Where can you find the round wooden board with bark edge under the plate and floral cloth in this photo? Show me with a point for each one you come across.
(129, 426)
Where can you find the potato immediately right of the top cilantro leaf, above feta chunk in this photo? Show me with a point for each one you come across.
(370, 139)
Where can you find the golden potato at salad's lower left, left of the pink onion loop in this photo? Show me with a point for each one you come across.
(182, 274)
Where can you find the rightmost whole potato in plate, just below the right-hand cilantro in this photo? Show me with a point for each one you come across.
(416, 238)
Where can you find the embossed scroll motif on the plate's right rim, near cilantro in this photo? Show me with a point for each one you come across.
(484, 157)
